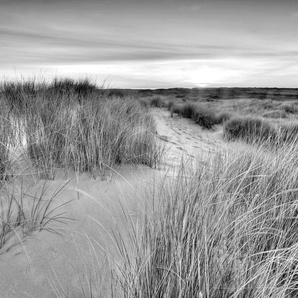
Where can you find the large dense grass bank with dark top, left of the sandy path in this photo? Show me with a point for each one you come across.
(69, 124)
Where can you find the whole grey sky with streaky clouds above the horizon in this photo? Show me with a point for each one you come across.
(152, 44)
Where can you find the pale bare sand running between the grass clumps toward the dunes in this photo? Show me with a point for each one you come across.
(45, 264)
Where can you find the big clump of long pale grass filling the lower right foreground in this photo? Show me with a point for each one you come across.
(228, 229)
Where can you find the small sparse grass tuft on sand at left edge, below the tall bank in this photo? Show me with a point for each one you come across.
(22, 211)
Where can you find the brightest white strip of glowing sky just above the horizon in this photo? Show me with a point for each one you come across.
(188, 73)
